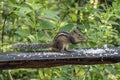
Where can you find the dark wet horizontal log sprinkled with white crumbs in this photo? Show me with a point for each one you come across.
(43, 59)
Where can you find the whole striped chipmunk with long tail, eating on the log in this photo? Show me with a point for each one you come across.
(60, 43)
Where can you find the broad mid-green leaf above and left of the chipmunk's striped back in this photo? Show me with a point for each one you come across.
(45, 25)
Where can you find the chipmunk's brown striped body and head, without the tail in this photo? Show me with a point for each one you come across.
(62, 40)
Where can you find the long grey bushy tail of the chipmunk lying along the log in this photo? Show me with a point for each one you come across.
(31, 46)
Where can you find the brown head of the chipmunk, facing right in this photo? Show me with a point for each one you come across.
(76, 36)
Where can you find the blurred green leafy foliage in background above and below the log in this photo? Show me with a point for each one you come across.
(34, 21)
